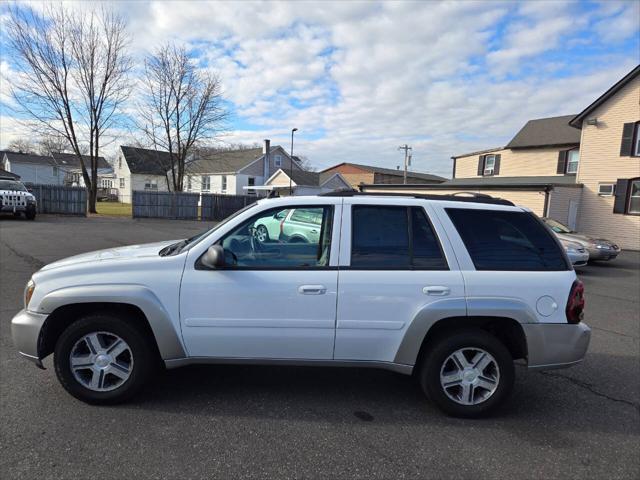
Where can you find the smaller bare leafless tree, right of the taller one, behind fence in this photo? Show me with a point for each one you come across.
(181, 107)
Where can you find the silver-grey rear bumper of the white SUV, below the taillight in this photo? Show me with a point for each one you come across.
(556, 345)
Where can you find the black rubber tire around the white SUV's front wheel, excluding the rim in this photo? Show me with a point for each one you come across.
(143, 360)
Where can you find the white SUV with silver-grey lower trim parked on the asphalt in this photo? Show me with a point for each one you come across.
(451, 290)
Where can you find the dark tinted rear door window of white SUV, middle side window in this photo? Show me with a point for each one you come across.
(394, 238)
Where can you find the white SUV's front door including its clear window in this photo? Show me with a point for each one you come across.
(276, 296)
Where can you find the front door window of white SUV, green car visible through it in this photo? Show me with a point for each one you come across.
(281, 238)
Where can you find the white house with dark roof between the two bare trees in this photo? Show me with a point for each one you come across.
(140, 169)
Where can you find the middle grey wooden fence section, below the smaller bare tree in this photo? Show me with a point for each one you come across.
(176, 205)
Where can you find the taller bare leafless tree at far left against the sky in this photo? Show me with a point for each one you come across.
(71, 77)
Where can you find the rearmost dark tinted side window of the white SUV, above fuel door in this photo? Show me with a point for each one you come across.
(507, 241)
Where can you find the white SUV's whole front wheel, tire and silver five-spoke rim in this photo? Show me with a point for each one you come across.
(102, 359)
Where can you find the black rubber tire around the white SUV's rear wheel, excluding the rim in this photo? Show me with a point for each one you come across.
(446, 345)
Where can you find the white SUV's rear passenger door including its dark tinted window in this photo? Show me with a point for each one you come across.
(392, 267)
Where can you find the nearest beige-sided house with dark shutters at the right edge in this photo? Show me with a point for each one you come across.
(609, 168)
